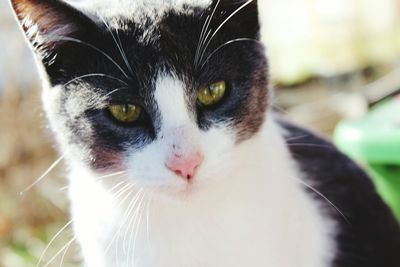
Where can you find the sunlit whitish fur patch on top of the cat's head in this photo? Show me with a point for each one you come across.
(142, 18)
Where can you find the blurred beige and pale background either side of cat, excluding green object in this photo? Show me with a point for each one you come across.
(331, 62)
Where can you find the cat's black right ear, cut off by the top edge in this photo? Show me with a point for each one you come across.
(244, 17)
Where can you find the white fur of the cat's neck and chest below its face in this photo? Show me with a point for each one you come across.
(261, 216)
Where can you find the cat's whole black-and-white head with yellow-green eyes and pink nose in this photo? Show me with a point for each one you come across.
(166, 94)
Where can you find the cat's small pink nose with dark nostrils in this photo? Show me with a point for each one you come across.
(184, 166)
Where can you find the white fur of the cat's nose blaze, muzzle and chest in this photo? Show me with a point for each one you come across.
(245, 208)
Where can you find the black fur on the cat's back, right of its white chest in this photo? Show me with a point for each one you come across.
(370, 235)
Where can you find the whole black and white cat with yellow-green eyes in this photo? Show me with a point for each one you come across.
(162, 108)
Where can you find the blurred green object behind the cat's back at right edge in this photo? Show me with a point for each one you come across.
(374, 142)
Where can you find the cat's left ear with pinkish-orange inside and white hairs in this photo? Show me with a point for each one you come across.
(48, 24)
